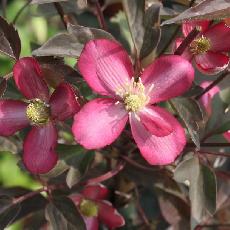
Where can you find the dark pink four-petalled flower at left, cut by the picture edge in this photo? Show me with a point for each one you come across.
(40, 110)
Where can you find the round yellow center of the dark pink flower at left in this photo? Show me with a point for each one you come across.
(38, 112)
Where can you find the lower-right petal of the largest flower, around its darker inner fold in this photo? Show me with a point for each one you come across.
(159, 150)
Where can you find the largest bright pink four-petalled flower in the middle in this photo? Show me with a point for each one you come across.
(107, 69)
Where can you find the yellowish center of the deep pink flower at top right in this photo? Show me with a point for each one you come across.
(200, 45)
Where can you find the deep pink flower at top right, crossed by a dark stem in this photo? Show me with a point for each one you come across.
(208, 50)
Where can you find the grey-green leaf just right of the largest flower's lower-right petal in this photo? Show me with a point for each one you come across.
(191, 114)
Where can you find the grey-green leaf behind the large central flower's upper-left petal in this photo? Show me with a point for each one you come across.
(70, 43)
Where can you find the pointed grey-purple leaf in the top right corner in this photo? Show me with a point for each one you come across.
(207, 9)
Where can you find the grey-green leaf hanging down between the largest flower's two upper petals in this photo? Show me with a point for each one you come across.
(143, 25)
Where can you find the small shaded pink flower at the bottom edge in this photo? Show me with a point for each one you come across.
(94, 208)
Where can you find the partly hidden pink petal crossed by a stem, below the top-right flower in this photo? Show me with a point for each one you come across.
(206, 99)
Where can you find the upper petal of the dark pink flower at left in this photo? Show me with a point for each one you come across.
(28, 78)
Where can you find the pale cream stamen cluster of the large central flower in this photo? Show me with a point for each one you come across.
(134, 95)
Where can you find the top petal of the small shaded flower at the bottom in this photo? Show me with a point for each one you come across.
(95, 192)
